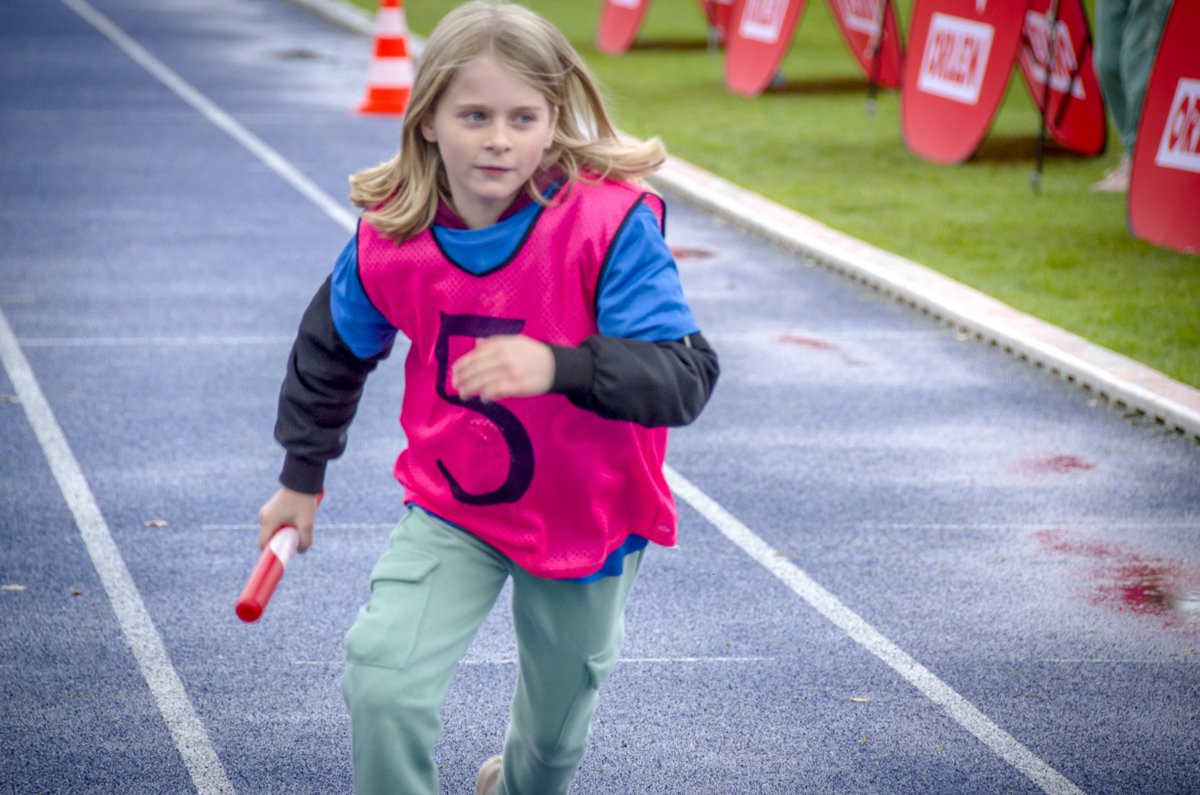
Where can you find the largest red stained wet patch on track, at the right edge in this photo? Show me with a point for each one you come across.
(1125, 581)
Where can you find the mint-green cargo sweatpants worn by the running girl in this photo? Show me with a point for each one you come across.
(430, 593)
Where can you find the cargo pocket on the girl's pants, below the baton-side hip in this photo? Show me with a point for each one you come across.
(386, 630)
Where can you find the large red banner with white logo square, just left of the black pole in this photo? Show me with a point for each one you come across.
(961, 57)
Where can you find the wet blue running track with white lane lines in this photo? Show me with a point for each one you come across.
(909, 561)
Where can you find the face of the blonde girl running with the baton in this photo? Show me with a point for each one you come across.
(491, 129)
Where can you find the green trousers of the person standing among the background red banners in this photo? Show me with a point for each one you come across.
(1127, 34)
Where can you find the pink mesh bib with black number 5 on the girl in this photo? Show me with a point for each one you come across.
(553, 487)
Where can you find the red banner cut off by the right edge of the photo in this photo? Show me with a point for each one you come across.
(1165, 186)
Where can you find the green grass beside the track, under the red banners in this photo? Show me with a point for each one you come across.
(1064, 256)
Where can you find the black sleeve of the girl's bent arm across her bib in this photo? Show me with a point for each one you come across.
(650, 384)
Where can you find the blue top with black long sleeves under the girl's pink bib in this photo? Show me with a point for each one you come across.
(647, 337)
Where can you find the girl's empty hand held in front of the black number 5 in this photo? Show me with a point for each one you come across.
(505, 367)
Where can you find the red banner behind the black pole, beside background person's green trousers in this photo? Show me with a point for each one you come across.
(1076, 106)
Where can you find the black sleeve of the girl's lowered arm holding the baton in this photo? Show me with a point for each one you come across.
(320, 397)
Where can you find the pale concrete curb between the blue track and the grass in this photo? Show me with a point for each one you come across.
(1118, 379)
